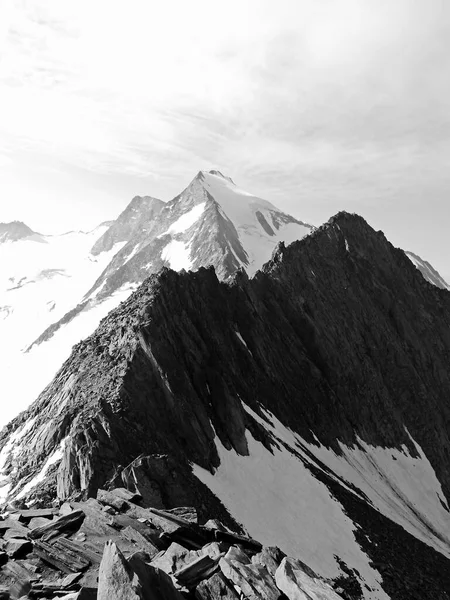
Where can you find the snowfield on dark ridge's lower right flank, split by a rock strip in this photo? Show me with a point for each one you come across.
(276, 496)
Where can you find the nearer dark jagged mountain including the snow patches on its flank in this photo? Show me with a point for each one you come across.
(296, 397)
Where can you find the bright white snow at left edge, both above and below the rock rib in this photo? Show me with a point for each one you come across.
(39, 280)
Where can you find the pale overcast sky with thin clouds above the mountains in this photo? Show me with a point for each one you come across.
(316, 105)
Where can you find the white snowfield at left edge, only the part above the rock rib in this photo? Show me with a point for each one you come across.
(40, 279)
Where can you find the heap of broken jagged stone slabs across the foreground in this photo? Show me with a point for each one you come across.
(113, 548)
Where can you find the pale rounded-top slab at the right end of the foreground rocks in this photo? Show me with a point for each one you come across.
(298, 582)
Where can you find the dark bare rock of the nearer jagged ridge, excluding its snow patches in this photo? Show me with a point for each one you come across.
(339, 336)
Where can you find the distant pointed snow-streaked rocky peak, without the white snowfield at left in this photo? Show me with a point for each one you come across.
(212, 222)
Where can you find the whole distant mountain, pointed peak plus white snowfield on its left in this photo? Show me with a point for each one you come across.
(211, 222)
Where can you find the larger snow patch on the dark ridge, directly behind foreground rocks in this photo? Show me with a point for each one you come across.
(278, 499)
